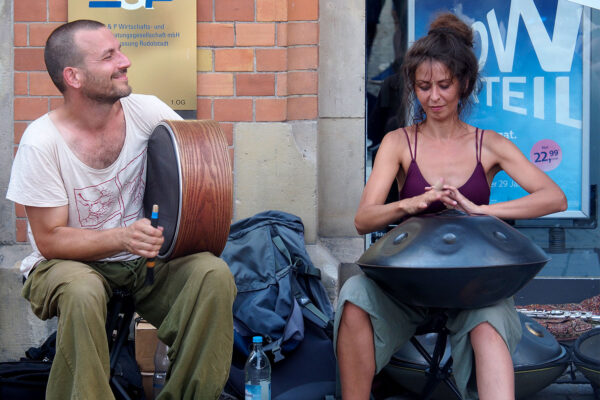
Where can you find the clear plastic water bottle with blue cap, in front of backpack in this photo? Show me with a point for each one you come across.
(257, 373)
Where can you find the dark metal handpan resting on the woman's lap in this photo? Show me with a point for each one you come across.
(452, 260)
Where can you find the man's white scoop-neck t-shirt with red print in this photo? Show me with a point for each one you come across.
(46, 173)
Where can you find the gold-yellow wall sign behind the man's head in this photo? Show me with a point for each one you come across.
(159, 37)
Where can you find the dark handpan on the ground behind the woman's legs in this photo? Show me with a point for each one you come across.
(538, 361)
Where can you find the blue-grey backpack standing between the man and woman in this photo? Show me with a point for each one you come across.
(278, 285)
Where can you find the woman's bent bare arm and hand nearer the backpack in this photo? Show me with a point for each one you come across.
(372, 213)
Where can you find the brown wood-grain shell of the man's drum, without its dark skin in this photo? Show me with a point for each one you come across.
(205, 187)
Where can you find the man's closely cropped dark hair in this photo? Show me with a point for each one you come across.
(61, 51)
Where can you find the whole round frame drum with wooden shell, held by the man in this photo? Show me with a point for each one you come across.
(189, 177)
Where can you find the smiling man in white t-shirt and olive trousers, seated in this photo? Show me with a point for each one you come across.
(80, 173)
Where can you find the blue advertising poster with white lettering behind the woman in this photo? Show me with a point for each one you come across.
(534, 62)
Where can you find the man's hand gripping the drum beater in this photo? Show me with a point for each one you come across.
(142, 239)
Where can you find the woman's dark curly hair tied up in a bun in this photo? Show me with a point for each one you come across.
(449, 41)
